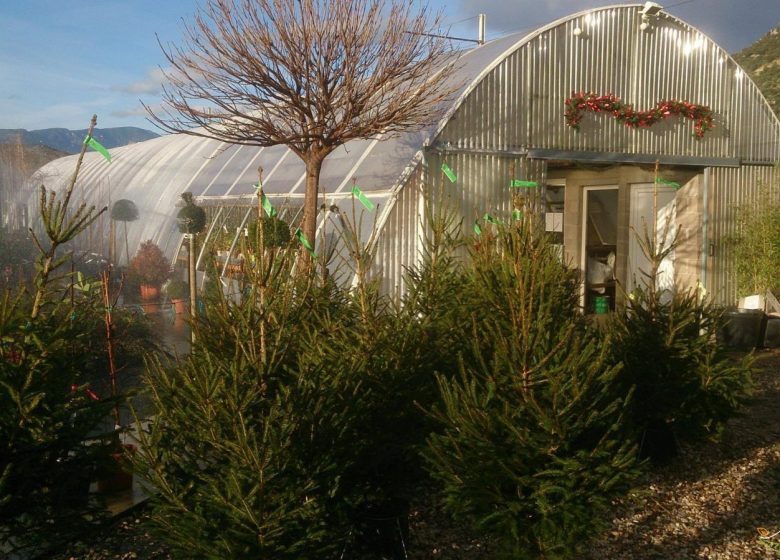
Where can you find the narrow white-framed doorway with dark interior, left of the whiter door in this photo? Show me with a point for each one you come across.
(599, 247)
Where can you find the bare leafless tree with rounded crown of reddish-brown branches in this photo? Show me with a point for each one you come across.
(308, 74)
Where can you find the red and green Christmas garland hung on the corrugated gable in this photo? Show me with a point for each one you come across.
(578, 103)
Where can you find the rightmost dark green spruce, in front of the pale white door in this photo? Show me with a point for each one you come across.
(685, 383)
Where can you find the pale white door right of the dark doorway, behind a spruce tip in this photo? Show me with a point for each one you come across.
(645, 197)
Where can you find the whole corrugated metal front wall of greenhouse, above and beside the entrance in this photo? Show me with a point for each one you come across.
(518, 105)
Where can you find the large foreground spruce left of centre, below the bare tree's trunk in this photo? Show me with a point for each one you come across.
(247, 444)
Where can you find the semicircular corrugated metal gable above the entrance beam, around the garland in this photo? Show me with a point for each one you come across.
(519, 103)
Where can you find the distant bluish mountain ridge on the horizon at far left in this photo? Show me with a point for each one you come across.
(69, 141)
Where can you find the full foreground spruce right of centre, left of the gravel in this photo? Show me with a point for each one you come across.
(529, 449)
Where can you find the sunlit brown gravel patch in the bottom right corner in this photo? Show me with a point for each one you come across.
(711, 501)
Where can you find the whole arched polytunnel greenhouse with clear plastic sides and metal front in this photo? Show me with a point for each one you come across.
(605, 119)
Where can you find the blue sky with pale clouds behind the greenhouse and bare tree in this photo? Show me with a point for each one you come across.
(63, 60)
